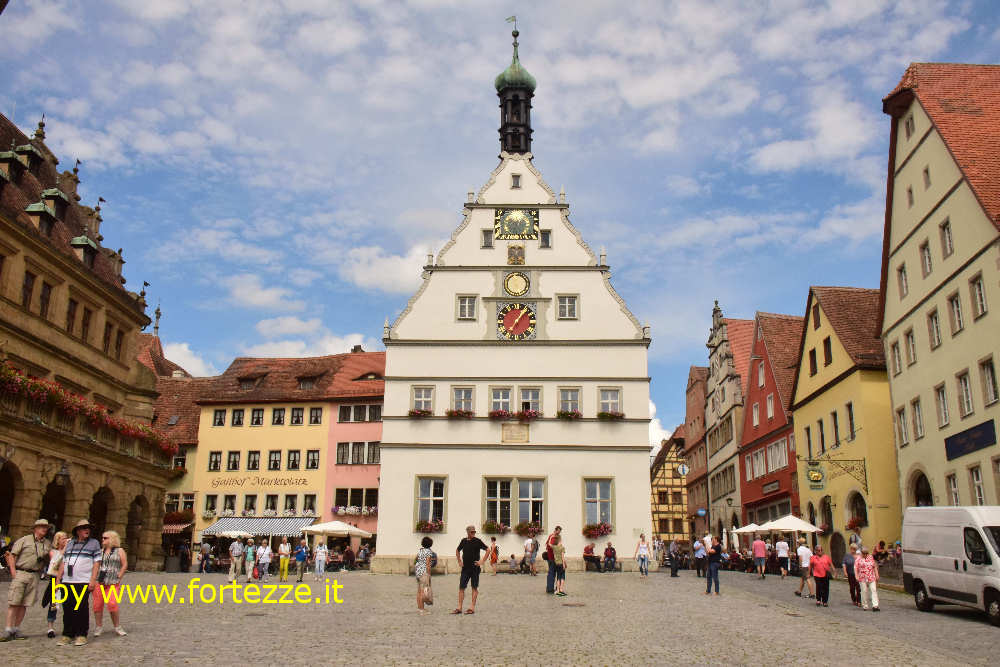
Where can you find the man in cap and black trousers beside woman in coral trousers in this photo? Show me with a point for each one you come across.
(80, 565)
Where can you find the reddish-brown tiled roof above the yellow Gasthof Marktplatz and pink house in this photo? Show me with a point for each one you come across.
(280, 379)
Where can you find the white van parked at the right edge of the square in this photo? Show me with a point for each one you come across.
(951, 555)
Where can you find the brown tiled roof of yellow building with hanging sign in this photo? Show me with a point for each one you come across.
(853, 312)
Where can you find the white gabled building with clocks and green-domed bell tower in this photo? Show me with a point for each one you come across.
(515, 313)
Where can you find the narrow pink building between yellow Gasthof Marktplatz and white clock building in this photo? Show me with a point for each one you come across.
(352, 477)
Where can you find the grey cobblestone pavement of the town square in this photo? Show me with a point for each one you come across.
(606, 619)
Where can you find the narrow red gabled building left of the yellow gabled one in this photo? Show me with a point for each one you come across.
(768, 484)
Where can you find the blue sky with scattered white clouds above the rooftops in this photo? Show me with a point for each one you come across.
(278, 170)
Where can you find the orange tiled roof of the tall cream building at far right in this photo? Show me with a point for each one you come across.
(963, 102)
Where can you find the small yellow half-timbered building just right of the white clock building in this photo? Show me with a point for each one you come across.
(669, 490)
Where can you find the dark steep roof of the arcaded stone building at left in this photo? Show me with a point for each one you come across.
(77, 220)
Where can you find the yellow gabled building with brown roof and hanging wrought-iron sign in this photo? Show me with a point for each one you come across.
(843, 421)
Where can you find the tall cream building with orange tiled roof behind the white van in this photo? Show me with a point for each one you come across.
(940, 276)
